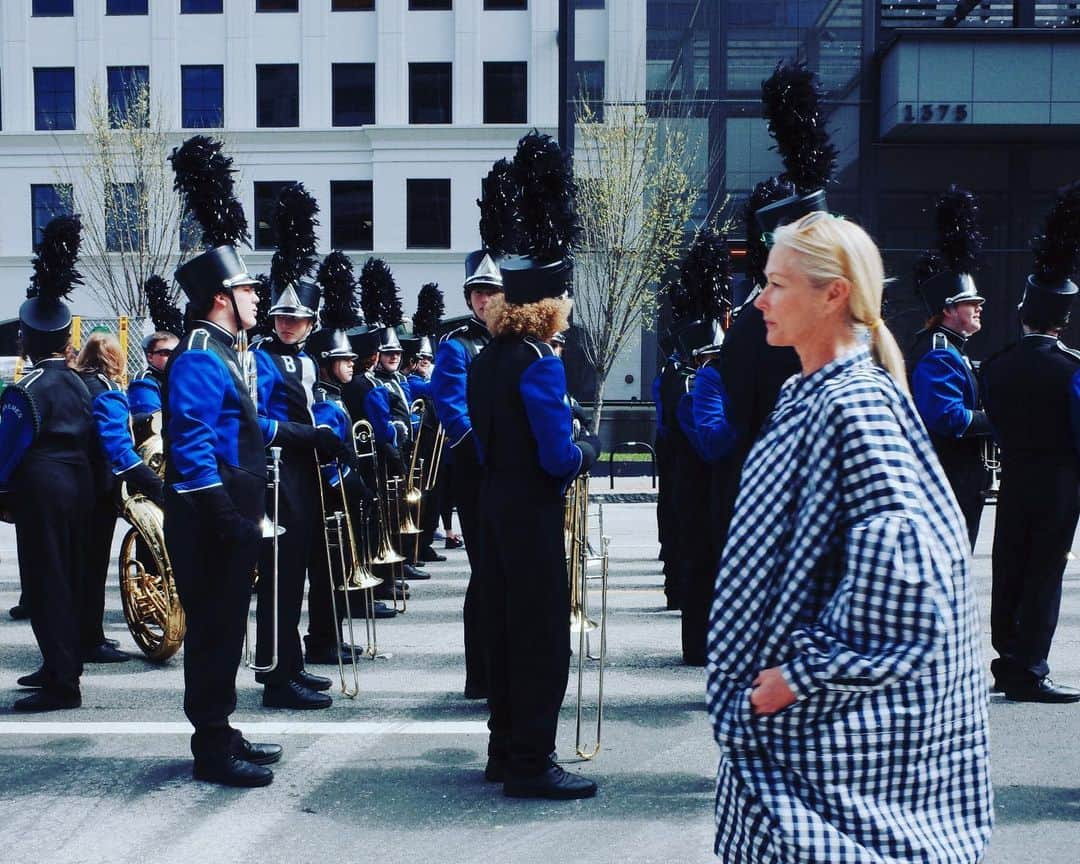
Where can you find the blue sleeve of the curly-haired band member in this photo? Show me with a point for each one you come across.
(544, 391)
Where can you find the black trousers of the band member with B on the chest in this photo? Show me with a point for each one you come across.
(299, 499)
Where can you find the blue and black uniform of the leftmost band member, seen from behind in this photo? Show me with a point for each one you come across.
(50, 493)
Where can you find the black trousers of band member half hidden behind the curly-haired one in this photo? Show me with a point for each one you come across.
(467, 494)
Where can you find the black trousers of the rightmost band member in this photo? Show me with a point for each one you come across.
(1038, 508)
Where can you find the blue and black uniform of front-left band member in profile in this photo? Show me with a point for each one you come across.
(215, 497)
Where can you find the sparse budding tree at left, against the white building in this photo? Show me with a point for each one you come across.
(124, 190)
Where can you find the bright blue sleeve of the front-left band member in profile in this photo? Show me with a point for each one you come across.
(197, 386)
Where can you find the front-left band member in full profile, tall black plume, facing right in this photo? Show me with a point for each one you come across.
(215, 469)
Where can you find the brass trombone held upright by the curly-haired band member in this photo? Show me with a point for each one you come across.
(579, 558)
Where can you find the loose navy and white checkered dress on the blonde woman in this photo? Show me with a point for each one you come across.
(847, 566)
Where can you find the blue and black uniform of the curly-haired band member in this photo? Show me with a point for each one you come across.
(523, 433)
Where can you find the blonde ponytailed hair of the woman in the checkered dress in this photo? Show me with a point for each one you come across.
(833, 248)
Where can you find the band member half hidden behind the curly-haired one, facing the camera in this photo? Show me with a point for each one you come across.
(456, 353)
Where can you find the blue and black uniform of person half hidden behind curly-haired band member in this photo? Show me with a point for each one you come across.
(450, 383)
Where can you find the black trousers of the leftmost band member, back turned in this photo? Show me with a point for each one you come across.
(50, 503)
